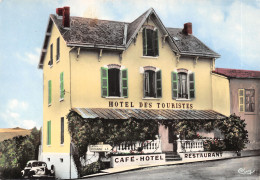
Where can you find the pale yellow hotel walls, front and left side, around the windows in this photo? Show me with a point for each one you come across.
(82, 82)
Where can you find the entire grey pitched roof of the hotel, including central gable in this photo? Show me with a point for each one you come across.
(104, 34)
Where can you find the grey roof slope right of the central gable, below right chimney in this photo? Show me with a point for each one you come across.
(189, 44)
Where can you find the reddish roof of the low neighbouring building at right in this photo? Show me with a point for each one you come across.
(237, 73)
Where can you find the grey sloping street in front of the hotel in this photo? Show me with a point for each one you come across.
(238, 169)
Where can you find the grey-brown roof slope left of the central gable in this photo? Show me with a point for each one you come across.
(92, 31)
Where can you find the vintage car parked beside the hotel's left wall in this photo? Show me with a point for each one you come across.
(37, 169)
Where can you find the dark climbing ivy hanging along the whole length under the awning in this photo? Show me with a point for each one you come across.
(85, 132)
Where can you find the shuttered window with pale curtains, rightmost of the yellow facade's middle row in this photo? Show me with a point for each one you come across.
(183, 85)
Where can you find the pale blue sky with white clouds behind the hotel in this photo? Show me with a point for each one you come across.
(229, 27)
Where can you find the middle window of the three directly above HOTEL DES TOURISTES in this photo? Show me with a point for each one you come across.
(152, 83)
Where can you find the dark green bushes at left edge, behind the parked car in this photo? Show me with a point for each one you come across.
(17, 151)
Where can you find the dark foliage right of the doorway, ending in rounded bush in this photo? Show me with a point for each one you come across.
(232, 127)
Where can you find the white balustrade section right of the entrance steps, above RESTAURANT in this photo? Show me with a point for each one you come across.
(190, 145)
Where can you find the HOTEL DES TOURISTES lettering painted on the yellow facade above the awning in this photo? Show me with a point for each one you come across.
(147, 105)
